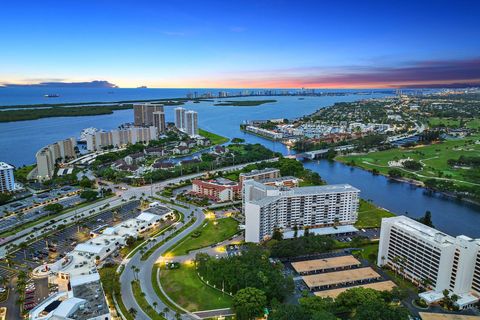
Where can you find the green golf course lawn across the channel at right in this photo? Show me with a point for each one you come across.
(434, 157)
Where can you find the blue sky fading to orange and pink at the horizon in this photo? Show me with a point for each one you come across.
(241, 43)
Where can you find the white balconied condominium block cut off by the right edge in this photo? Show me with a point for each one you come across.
(432, 259)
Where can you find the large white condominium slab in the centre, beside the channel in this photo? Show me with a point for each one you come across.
(269, 207)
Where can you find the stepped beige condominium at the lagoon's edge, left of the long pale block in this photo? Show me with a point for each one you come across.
(48, 156)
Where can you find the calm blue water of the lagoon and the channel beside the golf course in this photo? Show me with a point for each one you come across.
(20, 140)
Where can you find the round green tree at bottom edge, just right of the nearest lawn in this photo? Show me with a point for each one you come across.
(249, 303)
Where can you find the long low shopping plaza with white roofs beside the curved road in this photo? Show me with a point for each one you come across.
(80, 294)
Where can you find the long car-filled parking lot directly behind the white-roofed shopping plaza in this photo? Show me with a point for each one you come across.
(63, 241)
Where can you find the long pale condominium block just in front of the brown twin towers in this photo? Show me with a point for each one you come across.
(118, 138)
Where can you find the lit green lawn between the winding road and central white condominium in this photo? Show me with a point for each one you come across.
(210, 232)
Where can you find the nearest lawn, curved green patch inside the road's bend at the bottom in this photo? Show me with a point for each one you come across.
(185, 287)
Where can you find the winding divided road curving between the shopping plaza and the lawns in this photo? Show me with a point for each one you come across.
(145, 273)
